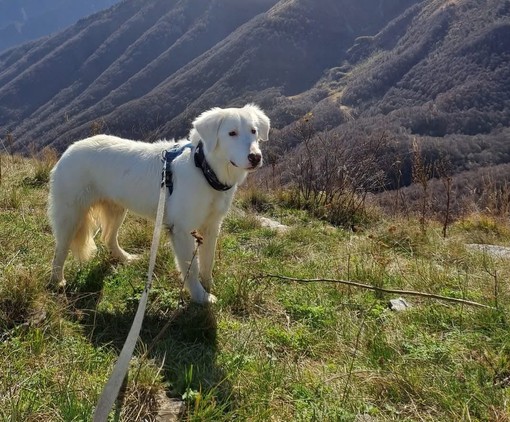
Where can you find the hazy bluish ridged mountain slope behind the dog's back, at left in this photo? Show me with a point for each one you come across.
(147, 69)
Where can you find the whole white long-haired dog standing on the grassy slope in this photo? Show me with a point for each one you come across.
(98, 179)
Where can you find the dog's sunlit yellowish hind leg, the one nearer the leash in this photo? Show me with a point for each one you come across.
(111, 217)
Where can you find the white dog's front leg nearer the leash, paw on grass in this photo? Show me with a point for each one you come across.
(183, 245)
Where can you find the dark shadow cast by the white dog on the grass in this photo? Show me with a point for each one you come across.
(186, 339)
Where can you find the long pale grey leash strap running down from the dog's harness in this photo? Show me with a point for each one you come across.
(112, 387)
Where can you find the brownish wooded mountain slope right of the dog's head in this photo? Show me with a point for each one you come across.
(437, 76)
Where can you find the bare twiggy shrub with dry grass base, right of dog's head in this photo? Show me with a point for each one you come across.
(332, 175)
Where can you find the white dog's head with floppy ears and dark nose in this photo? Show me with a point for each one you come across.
(233, 134)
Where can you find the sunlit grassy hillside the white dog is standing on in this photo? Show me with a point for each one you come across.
(268, 350)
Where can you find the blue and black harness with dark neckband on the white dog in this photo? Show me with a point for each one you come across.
(171, 154)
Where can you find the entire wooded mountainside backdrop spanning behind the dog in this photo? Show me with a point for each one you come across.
(434, 72)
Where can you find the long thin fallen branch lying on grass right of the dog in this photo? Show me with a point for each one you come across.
(379, 289)
